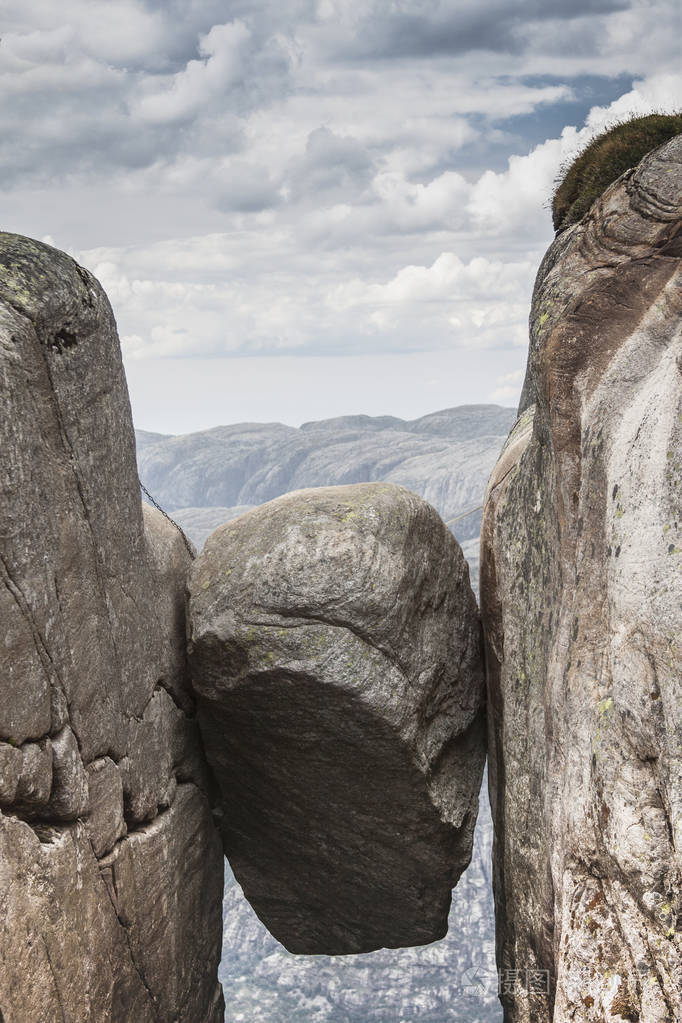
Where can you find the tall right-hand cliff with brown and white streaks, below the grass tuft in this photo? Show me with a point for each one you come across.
(581, 582)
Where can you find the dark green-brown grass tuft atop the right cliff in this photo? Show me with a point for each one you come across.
(606, 159)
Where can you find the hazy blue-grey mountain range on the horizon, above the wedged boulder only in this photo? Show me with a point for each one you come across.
(206, 478)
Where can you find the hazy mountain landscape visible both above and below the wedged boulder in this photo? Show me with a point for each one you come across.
(207, 478)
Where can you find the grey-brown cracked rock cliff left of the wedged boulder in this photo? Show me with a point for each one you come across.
(111, 868)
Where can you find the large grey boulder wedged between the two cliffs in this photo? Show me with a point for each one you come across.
(336, 654)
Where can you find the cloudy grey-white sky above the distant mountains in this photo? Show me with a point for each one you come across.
(316, 207)
